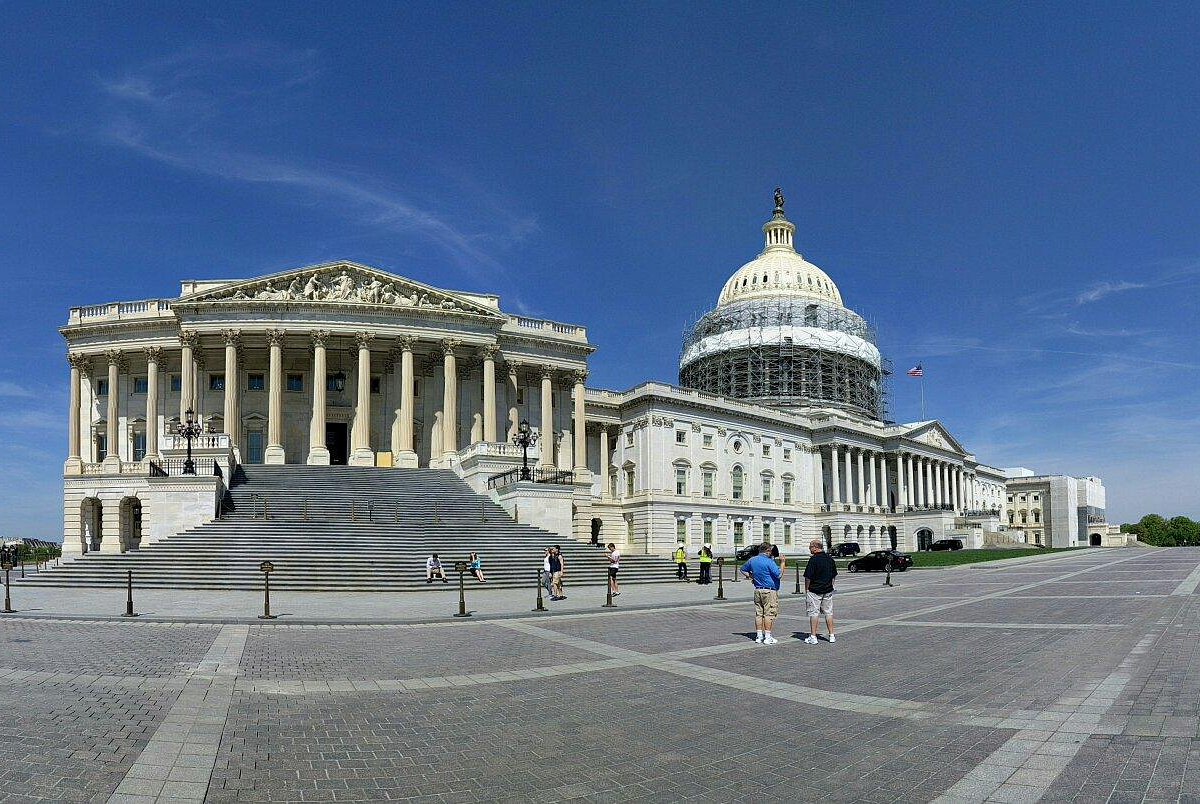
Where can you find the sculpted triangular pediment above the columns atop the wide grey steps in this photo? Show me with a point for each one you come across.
(341, 284)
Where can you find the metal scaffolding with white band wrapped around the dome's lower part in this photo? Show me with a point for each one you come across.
(742, 351)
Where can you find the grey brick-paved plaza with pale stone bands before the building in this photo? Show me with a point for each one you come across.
(1067, 680)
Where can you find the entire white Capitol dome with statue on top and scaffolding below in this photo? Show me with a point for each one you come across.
(781, 337)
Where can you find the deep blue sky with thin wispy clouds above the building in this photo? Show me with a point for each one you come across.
(1010, 191)
